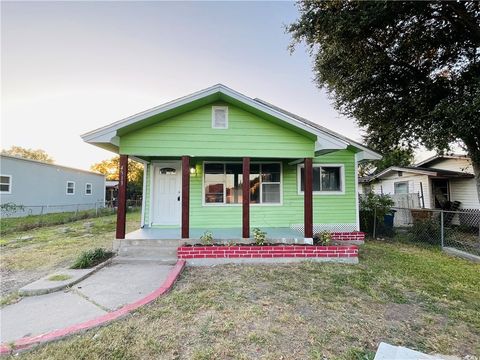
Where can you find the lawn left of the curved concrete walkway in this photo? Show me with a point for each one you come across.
(26, 256)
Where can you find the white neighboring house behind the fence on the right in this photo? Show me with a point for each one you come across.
(441, 180)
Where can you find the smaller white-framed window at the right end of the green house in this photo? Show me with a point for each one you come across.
(326, 178)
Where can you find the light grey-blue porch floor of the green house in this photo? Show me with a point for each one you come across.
(273, 233)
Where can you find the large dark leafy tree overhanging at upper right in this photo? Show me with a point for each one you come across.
(408, 72)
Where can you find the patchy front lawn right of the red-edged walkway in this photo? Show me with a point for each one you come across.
(399, 293)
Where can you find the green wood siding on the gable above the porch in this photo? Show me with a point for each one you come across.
(191, 133)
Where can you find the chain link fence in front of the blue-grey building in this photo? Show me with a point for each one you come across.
(22, 218)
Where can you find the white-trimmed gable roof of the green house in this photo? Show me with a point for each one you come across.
(107, 136)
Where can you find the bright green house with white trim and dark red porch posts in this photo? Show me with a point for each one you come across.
(218, 160)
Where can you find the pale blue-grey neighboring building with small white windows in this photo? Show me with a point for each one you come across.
(43, 187)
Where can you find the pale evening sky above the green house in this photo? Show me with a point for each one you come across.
(71, 67)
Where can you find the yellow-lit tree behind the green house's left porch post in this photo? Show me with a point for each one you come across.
(110, 168)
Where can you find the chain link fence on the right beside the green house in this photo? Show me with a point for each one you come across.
(459, 230)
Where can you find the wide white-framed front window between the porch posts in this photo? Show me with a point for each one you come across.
(223, 183)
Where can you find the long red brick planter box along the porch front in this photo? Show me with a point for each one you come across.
(209, 255)
